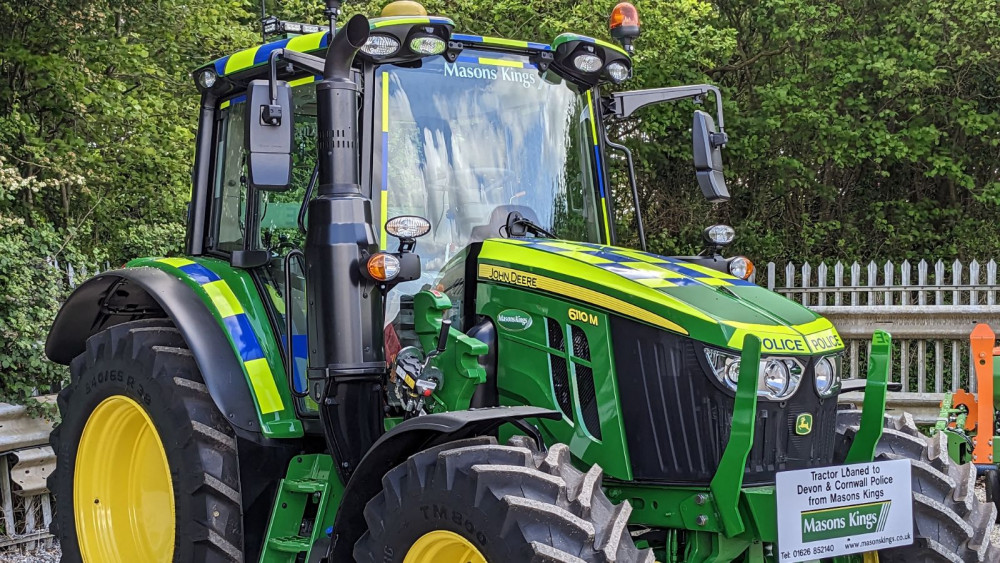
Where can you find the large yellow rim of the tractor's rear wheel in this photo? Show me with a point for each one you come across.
(123, 499)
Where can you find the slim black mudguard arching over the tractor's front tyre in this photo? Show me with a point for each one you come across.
(396, 445)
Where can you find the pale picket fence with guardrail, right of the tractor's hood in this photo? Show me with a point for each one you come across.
(929, 309)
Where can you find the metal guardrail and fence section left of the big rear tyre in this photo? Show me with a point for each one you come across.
(26, 461)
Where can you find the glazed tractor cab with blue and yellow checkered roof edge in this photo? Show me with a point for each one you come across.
(469, 133)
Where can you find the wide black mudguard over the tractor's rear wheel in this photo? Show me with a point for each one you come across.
(130, 294)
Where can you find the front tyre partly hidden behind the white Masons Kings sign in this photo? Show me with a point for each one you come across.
(949, 522)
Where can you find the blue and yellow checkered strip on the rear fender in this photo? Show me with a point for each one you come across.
(240, 331)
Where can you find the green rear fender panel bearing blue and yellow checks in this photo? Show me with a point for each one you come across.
(231, 296)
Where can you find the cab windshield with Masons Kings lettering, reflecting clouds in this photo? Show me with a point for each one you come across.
(464, 144)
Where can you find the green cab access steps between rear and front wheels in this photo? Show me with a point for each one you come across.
(299, 517)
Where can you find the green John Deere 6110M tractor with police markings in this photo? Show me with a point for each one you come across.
(303, 386)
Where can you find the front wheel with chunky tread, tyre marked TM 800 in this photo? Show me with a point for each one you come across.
(474, 501)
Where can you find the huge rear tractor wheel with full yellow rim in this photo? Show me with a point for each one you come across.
(146, 465)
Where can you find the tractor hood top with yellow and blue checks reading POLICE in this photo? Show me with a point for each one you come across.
(705, 304)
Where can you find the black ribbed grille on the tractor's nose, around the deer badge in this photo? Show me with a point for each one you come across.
(677, 416)
